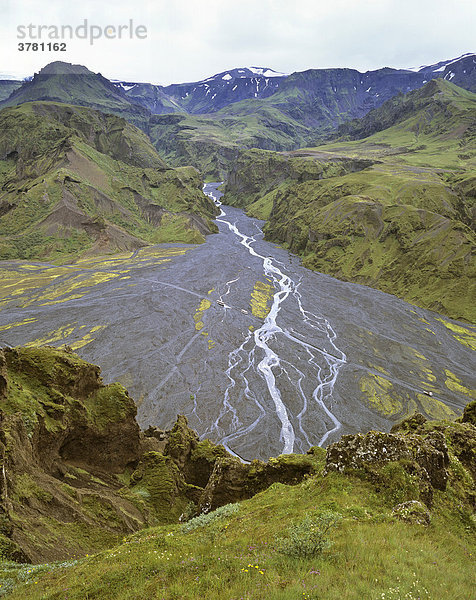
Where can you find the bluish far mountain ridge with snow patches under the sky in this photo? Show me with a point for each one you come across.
(367, 90)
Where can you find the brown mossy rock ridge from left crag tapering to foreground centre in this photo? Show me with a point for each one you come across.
(78, 474)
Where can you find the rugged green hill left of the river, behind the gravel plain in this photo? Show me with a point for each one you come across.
(76, 181)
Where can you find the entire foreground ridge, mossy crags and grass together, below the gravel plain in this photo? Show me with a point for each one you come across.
(381, 515)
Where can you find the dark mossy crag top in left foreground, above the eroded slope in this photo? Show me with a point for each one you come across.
(82, 421)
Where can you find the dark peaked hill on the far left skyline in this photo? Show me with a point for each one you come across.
(75, 84)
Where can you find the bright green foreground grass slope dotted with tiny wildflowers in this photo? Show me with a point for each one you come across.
(373, 555)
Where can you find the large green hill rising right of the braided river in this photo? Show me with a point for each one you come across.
(393, 211)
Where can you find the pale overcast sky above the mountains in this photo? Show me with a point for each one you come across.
(190, 40)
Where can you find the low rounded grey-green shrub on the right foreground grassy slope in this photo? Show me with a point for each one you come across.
(309, 537)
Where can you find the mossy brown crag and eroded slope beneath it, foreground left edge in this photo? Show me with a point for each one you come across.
(65, 437)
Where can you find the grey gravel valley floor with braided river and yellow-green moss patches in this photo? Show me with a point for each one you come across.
(181, 328)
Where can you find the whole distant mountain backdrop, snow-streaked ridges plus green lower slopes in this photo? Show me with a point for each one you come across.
(206, 123)
